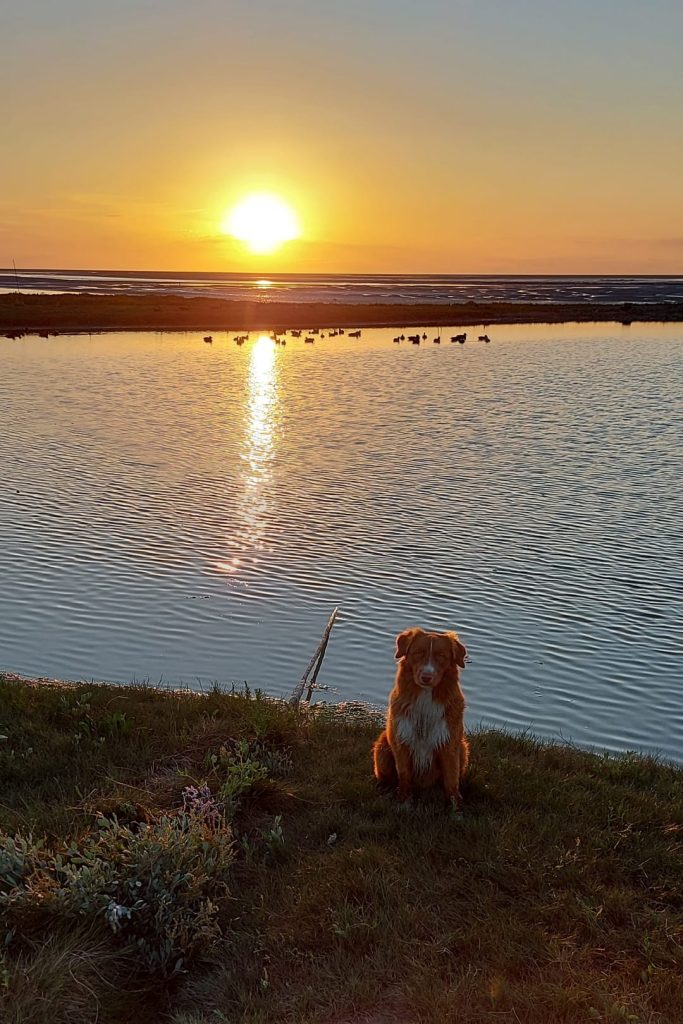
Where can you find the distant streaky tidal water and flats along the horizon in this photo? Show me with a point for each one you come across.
(354, 288)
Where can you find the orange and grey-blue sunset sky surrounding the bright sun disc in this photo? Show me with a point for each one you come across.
(412, 137)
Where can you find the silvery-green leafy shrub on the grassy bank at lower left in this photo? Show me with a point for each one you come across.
(153, 885)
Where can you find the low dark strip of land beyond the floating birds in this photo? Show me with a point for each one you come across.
(29, 314)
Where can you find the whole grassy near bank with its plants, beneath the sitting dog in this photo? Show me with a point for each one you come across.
(216, 859)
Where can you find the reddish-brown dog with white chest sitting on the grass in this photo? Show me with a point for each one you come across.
(424, 741)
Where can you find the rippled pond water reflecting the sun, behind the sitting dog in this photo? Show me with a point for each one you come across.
(191, 514)
